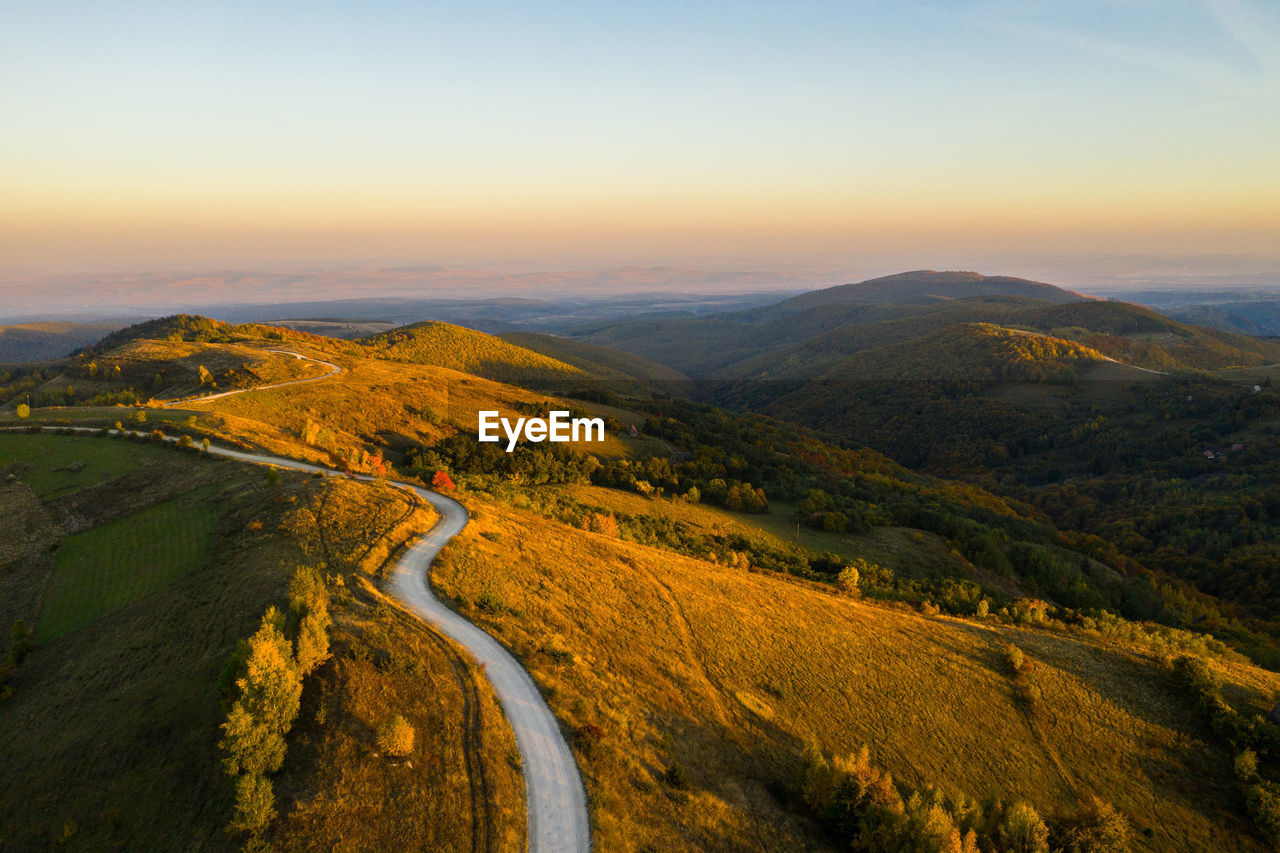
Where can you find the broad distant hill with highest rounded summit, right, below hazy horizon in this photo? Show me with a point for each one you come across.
(807, 337)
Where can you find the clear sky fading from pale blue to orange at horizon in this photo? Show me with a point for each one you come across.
(166, 135)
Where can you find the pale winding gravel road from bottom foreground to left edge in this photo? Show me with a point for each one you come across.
(555, 799)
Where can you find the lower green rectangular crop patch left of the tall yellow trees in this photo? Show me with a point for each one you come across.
(107, 568)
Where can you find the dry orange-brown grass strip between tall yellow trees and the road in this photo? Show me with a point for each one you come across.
(459, 788)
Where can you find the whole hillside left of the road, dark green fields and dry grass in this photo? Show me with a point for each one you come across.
(109, 738)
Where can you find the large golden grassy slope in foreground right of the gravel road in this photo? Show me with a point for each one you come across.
(732, 673)
